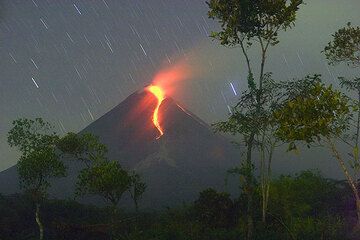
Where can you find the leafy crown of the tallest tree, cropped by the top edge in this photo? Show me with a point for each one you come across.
(242, 20)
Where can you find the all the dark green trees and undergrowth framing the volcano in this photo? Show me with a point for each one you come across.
(270, 116)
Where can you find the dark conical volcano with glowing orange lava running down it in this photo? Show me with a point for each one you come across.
(175, 152)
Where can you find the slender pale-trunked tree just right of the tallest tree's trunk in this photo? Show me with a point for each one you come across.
(245, 117)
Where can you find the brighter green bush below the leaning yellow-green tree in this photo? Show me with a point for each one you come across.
(305, 194)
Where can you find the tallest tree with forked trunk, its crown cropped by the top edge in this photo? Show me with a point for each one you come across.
(243, 23)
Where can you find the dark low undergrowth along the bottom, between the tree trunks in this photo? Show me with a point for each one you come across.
(303, 206)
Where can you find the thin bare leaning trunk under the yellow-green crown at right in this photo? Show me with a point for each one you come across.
(350, 180)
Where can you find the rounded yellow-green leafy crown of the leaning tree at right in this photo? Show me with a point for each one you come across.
(312, 111)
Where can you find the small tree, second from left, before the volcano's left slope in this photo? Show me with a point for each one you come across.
(101, 177)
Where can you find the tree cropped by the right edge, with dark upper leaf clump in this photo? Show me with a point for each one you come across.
(345, 48)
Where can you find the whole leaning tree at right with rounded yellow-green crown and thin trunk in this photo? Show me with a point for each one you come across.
(318, 114)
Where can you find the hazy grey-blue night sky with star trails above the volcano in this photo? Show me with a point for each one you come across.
(70, 62)
